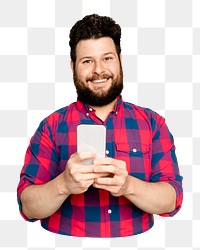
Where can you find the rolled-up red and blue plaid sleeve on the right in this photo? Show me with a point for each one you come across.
(164, 161)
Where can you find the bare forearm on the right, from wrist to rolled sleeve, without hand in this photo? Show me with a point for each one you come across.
(154, 198)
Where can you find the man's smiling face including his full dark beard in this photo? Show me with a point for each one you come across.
(98, 75)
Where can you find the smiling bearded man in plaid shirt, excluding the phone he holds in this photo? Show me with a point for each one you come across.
(115, 196)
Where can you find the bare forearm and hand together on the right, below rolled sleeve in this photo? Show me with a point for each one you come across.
(153, 198)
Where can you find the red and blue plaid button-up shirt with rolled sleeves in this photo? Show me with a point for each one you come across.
(135, 135)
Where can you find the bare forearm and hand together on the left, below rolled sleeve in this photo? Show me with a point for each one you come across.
(41, 201)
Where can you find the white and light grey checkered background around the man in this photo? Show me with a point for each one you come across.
(161, 61)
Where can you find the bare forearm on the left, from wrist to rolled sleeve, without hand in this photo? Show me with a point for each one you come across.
(41, 201)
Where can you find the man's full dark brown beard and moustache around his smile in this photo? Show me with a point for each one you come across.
(99, 98)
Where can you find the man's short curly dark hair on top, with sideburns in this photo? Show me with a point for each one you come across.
(94, 27)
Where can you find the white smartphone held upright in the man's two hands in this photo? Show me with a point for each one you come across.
(91, 138)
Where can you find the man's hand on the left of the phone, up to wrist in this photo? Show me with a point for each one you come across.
(77, 176)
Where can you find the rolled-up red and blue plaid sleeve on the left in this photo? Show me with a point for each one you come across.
(41, 160)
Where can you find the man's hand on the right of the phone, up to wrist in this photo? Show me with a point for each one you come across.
(117, 181)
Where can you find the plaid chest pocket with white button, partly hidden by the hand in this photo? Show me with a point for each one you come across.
(137, 158)
